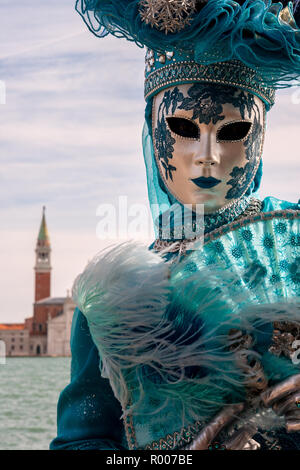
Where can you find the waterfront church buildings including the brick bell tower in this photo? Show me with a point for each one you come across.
(48, 331)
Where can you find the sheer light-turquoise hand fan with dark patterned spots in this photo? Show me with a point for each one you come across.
(262, 254)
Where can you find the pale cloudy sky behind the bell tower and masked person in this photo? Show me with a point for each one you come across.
(70, 136)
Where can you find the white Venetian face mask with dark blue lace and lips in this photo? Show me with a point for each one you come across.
(208, 142)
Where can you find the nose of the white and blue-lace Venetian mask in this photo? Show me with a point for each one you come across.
(206, 154)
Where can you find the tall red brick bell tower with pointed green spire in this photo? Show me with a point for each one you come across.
(42, 265)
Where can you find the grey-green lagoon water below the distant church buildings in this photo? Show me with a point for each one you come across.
(29, 390)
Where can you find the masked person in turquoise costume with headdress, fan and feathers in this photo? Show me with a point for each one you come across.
(190, 344)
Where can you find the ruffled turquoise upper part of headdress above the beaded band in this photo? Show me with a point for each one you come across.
(253, 33)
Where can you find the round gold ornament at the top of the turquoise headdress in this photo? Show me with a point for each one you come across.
(169, 16)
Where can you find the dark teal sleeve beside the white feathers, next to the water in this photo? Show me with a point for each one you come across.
(88, 414)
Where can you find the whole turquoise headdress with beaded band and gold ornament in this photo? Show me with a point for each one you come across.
(251, 44)
